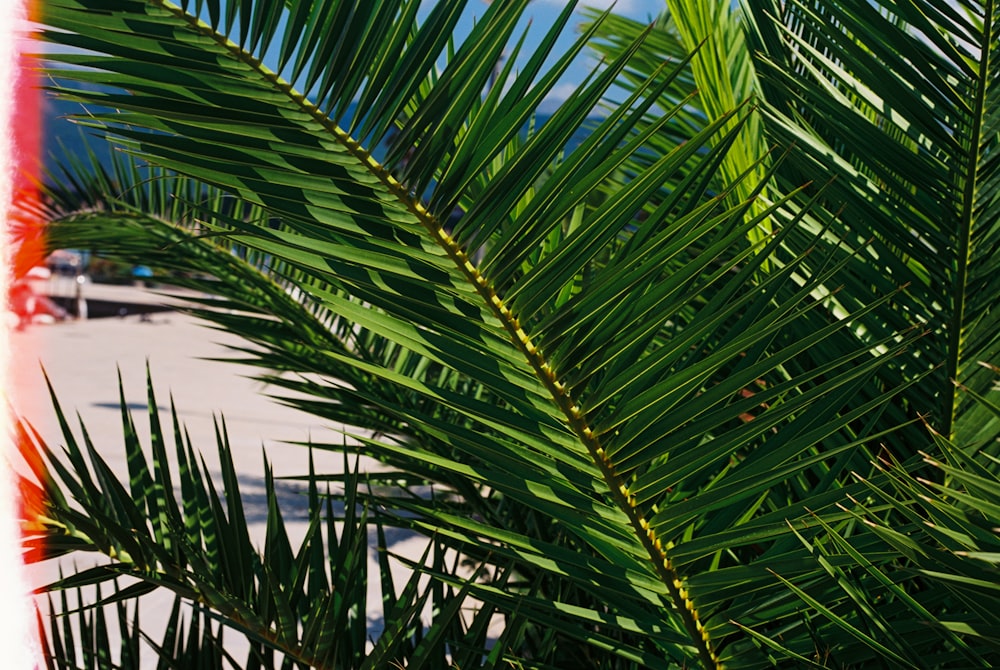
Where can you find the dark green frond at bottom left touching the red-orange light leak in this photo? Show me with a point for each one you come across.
(172, 527)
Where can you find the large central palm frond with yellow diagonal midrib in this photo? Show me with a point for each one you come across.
(641, 387)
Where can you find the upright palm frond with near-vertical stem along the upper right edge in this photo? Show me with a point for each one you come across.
(898, 102)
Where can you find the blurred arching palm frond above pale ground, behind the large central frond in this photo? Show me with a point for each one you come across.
(177, 225)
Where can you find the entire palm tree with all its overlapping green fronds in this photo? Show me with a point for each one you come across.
(665, 385)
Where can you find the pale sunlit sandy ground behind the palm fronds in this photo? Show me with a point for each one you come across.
(82, 360)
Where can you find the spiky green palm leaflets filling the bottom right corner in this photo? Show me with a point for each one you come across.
(933, 603)
